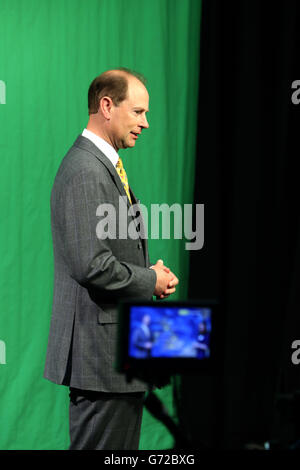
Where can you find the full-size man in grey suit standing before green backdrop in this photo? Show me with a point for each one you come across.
(94, 270)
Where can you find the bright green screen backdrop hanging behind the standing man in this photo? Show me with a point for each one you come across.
(50, 50)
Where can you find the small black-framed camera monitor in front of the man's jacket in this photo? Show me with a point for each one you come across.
(175, 336)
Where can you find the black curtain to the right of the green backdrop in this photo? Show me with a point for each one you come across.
(247, 178)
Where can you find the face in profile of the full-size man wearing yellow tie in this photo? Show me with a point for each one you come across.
(128, 119)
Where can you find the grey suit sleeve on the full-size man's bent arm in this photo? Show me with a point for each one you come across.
(91, 261)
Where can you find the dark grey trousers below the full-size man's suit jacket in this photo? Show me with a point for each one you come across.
(105, 421)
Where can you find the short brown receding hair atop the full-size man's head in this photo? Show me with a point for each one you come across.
(112, 83)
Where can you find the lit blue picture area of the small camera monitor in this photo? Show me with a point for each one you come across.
(169, 332)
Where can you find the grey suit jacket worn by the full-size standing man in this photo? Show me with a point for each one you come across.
(90, 274)
